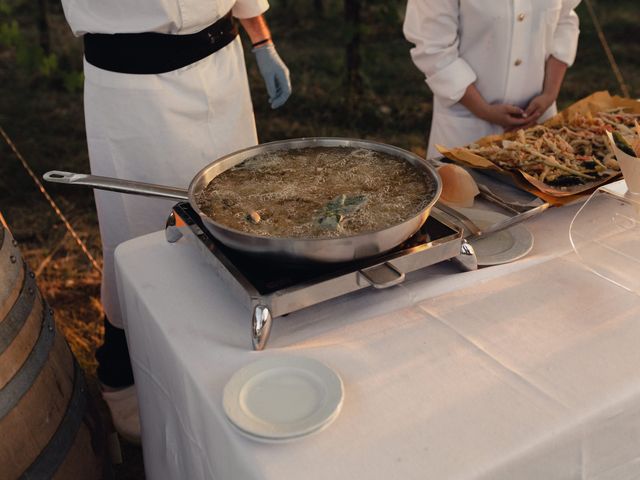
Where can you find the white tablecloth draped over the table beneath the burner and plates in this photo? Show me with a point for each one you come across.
(529, 370)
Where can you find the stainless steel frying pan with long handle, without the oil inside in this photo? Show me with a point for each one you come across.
(292, 249)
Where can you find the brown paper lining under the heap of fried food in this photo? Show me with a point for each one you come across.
(596, 102)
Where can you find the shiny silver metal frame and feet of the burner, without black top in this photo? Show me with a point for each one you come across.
(380, 272)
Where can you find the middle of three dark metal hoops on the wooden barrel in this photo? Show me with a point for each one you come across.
(22, 381)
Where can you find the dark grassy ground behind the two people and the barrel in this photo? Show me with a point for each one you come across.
(45, 121)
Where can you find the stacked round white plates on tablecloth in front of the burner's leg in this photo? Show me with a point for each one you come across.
(283, 397)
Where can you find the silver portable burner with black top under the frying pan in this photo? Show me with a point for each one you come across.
(271, 288)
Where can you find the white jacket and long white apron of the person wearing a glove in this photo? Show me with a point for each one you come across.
(159, 128)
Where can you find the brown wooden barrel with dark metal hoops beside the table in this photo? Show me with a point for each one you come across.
(49, 427)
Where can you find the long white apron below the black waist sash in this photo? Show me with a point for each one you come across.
(160, 129)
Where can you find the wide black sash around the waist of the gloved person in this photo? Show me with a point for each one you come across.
(150, 52)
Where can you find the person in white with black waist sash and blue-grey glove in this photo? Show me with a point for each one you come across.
(166, 93)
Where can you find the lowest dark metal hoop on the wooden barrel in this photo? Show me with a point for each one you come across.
(55, 452)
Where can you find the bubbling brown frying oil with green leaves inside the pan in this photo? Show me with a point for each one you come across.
(317, 192)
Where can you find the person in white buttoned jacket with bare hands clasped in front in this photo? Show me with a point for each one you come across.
(492, 65)
